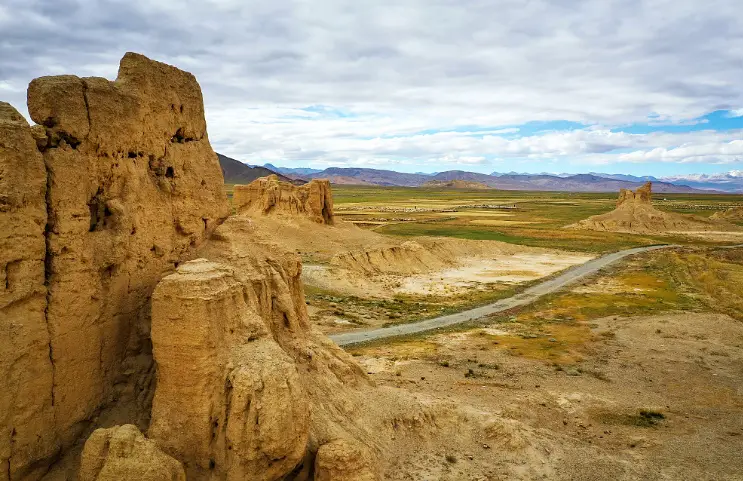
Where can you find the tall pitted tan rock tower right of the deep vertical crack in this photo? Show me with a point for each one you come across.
(133, 185)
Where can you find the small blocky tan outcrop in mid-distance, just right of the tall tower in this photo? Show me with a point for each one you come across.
(269, 195)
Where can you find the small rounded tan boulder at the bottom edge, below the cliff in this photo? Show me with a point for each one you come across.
(122, 454)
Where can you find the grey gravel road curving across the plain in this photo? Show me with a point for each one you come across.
(528, 296)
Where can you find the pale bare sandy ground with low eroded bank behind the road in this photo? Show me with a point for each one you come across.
(451, 266)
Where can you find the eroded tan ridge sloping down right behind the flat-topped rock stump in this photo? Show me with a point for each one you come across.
(343, 402)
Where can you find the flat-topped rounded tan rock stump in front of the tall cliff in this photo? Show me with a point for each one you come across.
(228, 399)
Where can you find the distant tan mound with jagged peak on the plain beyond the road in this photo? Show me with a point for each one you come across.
(635, 214)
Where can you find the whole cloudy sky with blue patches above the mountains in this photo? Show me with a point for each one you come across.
(643, 87)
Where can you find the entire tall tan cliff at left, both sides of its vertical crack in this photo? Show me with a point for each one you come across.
(114, 187)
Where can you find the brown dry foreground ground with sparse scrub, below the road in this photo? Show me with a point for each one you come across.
(582, 422)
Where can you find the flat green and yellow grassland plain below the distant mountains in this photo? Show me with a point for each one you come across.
(538, 220)
